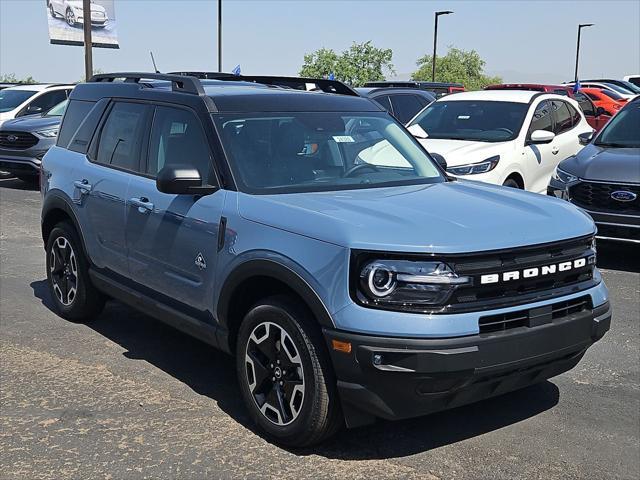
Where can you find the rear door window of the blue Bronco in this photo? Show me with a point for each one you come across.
(122, 136)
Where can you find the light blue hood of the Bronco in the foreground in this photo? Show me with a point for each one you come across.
(450, 217)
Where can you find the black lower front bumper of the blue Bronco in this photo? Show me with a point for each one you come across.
(395, 378)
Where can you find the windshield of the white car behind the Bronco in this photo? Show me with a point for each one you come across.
(484, 121)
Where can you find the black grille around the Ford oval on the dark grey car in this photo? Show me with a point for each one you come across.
(597, 197)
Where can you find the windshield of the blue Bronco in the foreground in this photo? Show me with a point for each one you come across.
(313, 151)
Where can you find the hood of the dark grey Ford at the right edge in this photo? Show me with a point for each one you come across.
(605, 164)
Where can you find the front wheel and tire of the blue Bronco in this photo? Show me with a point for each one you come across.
(306, 409)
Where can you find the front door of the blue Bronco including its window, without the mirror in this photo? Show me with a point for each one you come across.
(172, 239)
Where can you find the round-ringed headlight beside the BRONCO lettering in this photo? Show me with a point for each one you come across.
(406, 283)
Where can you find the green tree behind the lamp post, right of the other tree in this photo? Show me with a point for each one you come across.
(466, 67)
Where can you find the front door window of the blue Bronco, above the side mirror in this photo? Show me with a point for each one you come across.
(177, 138)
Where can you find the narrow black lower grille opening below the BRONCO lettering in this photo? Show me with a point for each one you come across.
(534, 317)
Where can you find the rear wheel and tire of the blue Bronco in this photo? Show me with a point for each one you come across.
(74, 296)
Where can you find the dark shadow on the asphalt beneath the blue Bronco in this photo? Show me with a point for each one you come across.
(212, 373)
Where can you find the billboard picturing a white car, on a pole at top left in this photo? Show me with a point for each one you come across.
(66, 23)
